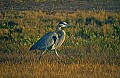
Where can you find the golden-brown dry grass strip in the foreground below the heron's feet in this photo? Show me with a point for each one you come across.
(53, 70)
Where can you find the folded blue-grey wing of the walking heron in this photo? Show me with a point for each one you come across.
(46, 42)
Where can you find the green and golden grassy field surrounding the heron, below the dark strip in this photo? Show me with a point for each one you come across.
(91, 48)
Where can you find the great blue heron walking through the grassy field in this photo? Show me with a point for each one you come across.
(51, 40)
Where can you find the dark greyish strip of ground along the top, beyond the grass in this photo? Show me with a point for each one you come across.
(58, 5)
